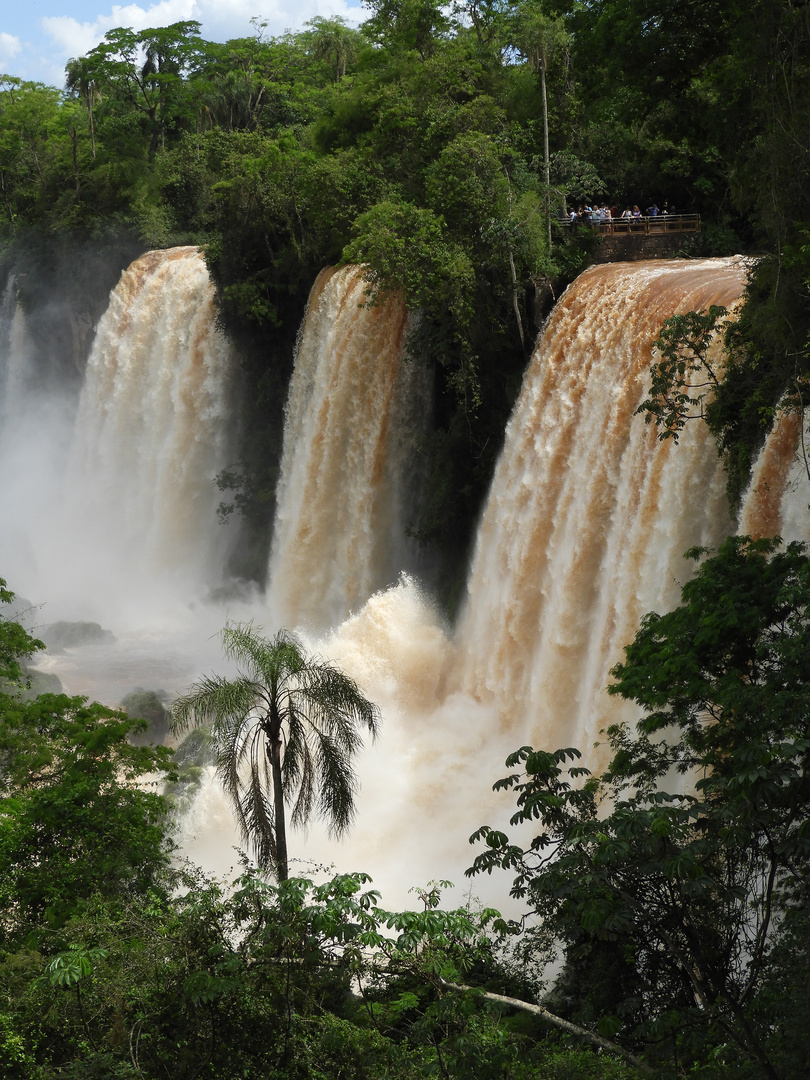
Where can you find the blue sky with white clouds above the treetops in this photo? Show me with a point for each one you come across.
(37, 37)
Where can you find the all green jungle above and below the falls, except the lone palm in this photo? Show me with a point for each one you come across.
(439, 145)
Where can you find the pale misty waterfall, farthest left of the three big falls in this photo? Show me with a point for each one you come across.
(153, 428)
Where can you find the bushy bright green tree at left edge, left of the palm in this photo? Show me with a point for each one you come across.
(76, 819)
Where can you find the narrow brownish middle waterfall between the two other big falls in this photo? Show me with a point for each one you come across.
(356, 412)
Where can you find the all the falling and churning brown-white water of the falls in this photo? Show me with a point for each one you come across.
(583, 534)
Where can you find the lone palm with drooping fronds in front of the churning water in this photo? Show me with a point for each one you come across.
(286, 732)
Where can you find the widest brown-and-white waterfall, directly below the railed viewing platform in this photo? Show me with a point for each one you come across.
(590, 512)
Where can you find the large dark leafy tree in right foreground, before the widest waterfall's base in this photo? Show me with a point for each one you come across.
(691, 884)
